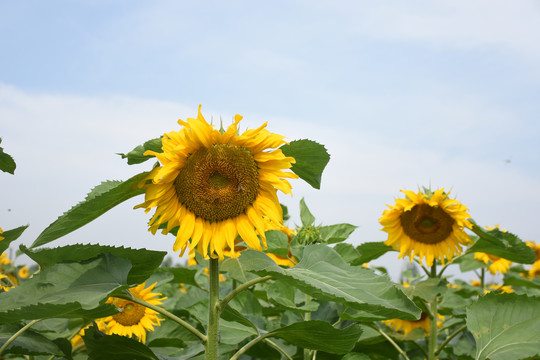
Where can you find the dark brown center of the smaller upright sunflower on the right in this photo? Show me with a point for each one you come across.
(427, 224)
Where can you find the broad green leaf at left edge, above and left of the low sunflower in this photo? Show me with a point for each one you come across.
(66, 290)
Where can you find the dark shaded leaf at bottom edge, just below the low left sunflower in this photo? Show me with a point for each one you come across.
(115, 347)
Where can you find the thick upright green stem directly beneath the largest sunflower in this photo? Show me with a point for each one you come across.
(213, 312)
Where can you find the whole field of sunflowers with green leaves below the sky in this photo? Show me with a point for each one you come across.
(253, 288)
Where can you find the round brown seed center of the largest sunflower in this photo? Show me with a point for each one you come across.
(219, 182)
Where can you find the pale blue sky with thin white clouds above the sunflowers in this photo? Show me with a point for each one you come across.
(402, 94)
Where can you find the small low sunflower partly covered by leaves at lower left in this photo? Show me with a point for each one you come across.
(134, 319)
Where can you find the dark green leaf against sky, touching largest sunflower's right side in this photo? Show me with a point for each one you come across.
(311, 159)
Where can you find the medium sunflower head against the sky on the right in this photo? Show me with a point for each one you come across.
(426, 224)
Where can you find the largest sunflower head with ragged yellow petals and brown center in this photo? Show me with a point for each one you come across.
(216, 185)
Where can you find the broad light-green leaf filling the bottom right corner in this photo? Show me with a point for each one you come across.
(505, 326)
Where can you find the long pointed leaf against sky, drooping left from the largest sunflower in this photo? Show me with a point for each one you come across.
(100, 200)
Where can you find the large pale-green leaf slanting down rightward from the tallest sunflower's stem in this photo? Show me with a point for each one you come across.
(324, 275)
